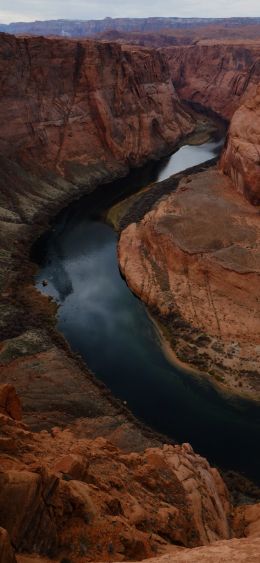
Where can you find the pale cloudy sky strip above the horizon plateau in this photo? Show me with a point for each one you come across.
(27, 10)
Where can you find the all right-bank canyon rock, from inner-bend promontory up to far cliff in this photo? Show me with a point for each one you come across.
(193, 254)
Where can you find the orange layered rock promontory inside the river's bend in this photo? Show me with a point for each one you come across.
(192, 259)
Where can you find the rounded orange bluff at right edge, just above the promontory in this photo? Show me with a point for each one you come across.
(241, 157)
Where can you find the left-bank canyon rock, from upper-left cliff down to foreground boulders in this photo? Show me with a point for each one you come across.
(85, 113)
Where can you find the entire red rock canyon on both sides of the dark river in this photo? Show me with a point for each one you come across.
(86, 113)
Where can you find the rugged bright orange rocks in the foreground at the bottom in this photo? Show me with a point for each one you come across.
(58, 489)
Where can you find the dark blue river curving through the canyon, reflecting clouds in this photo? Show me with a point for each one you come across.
(109, 327)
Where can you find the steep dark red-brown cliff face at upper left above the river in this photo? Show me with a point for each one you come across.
(85, 103)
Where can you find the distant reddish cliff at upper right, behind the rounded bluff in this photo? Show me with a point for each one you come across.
(215, 74)
